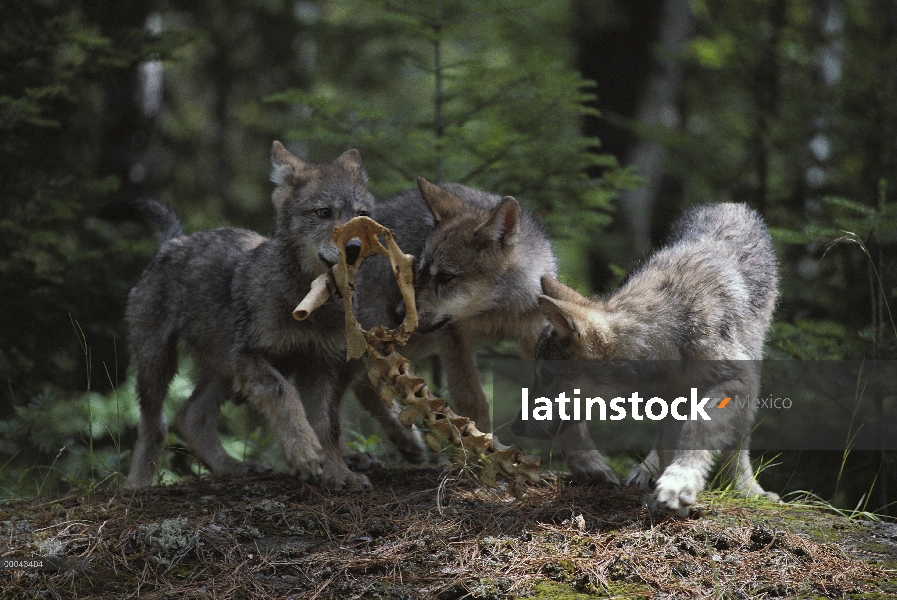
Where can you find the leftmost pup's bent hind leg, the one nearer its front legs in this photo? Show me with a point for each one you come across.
(197, 422)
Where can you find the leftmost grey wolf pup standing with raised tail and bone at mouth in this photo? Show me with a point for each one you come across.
(226, 295)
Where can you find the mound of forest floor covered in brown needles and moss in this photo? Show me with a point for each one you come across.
(432, 533)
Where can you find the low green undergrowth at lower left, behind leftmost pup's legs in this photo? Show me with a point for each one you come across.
(58, 441)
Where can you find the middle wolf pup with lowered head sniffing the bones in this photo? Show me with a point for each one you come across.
(479, 261)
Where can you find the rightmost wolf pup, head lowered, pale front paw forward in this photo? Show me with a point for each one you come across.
(708, 294)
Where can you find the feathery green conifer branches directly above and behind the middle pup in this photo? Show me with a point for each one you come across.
(459, 91)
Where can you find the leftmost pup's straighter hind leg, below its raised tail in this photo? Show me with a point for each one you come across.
(154, 373)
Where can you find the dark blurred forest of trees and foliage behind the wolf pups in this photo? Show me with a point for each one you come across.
(605, 117)
